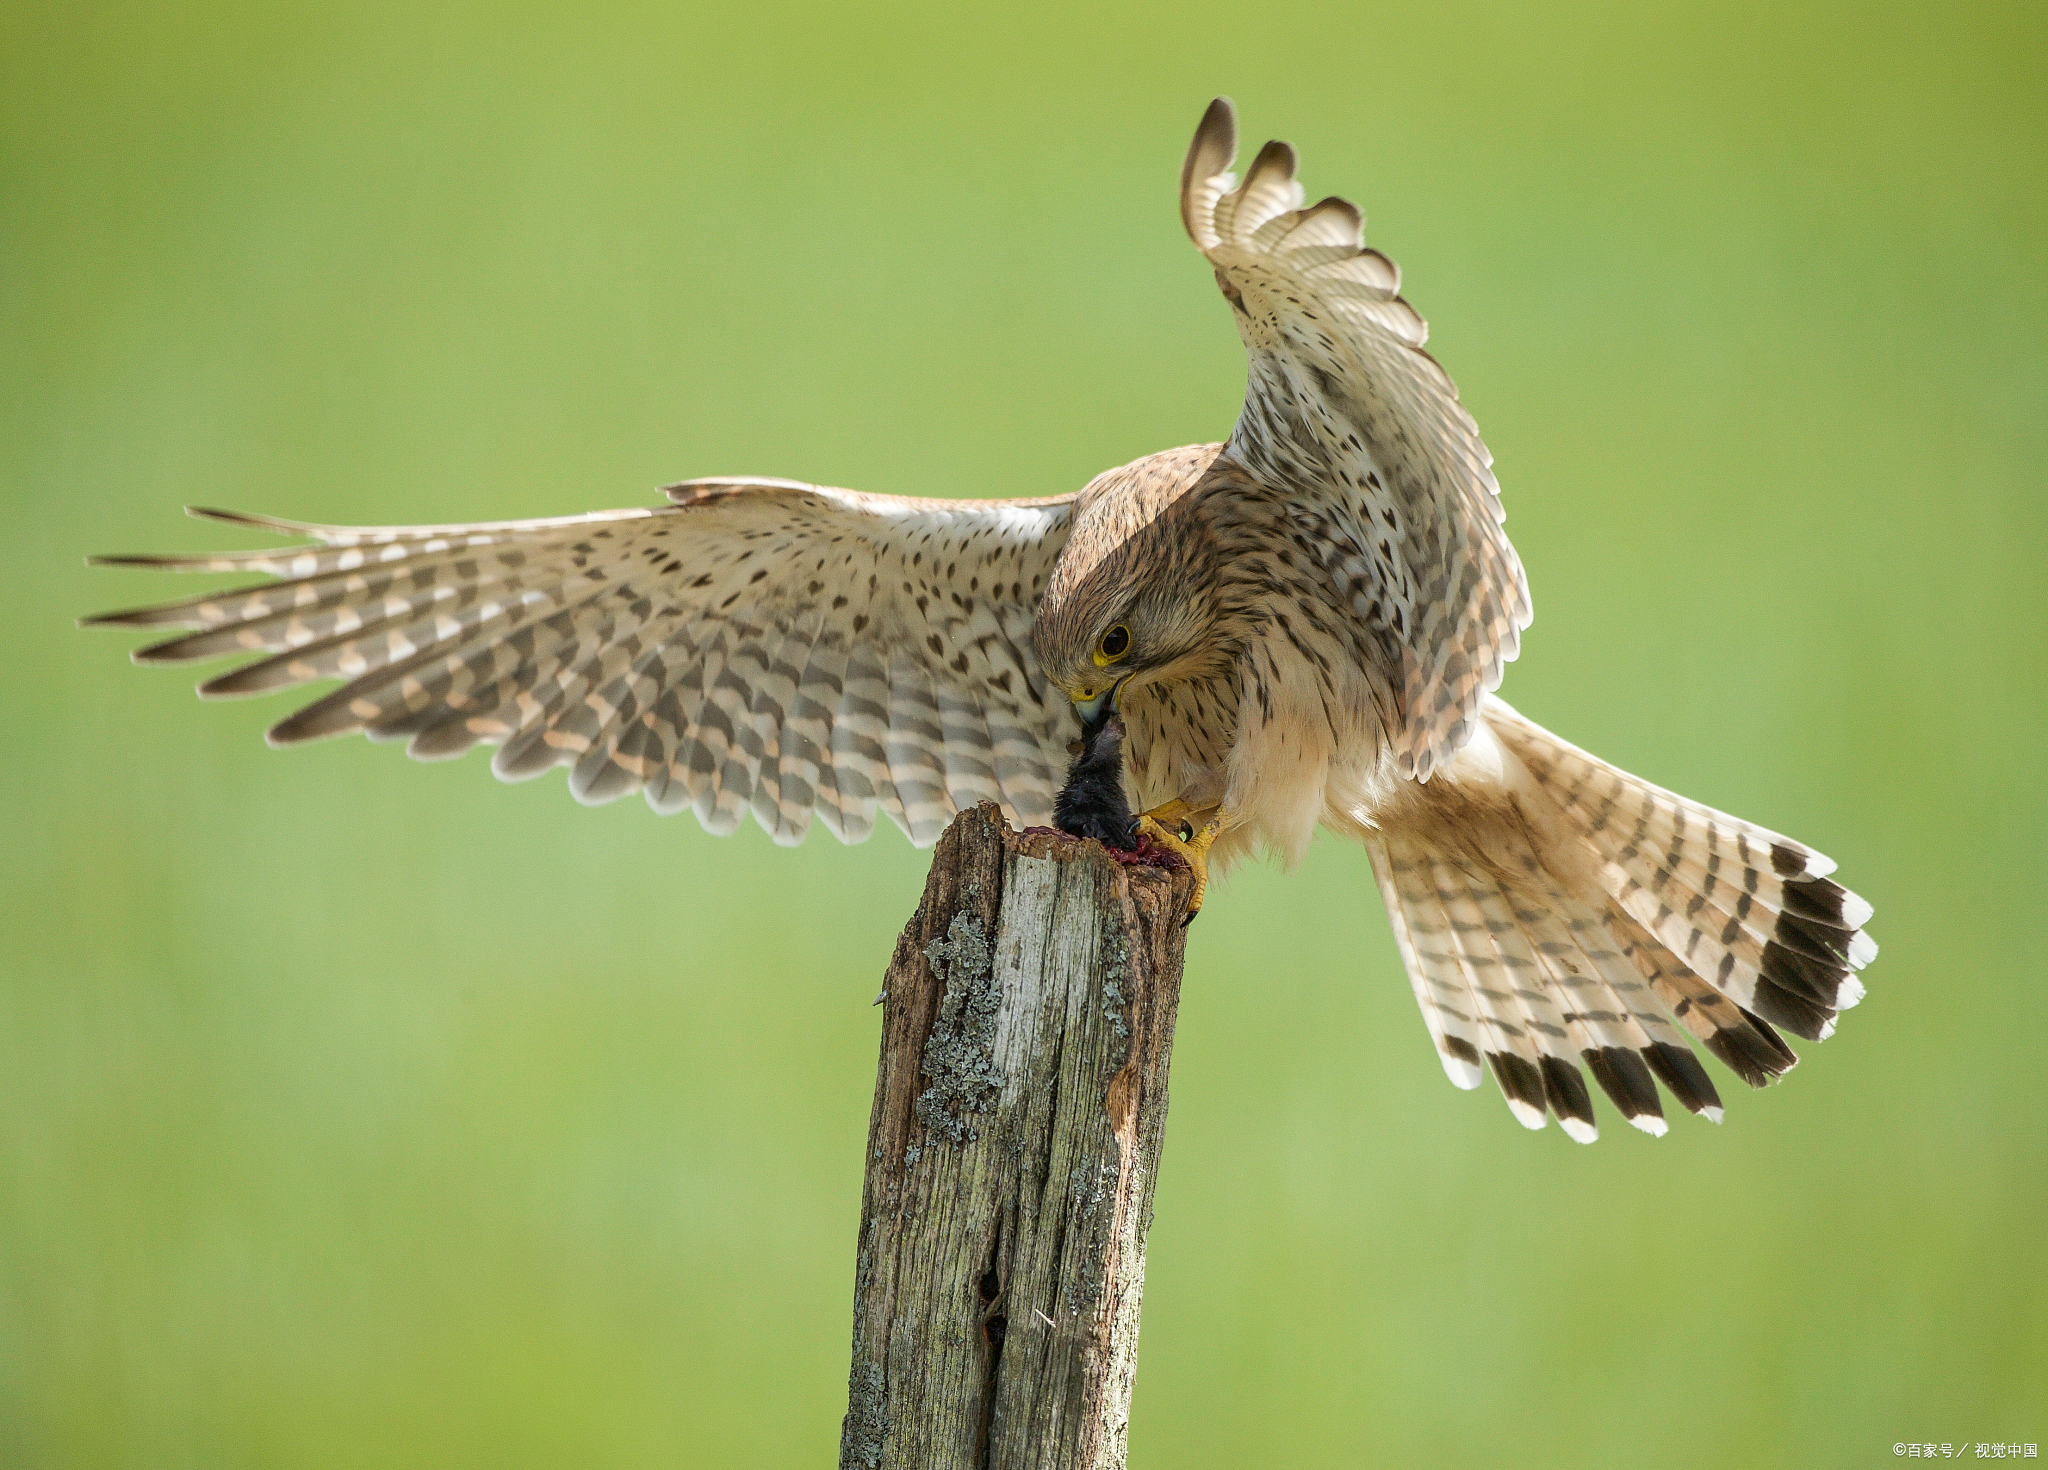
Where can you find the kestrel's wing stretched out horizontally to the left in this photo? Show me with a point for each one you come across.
(759, 646)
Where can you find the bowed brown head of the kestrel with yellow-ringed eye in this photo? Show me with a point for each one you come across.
(1132, 599)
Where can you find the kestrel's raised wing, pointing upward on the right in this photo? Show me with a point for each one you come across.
(1349, 413)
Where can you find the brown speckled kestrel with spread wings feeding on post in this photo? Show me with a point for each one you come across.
(1295, 628)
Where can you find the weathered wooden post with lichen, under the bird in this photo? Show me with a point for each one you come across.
(1013, 1150)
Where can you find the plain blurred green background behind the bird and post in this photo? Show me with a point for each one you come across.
(359, 1113)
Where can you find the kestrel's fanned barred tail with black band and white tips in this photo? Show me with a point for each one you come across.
(1586, 916)
